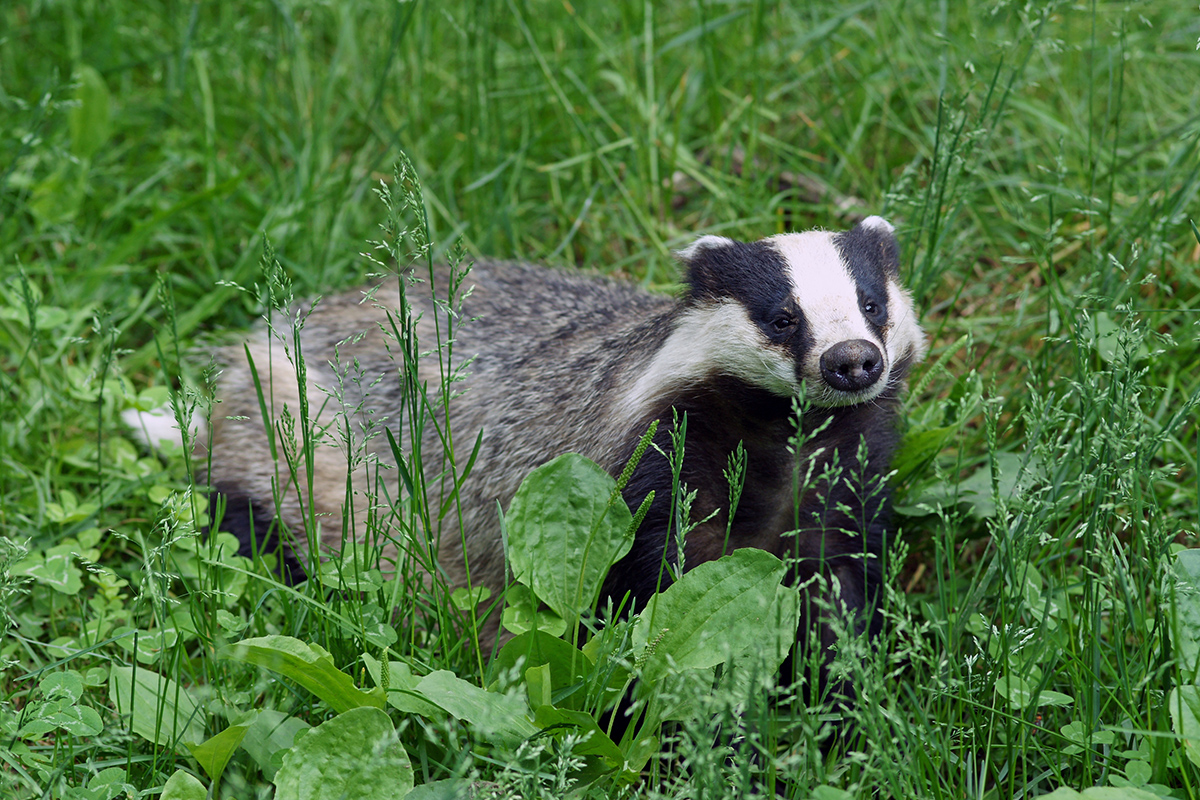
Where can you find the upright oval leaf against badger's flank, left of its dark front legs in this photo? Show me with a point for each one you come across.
(563, 534)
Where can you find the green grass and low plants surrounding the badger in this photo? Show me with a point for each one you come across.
(1042, 166)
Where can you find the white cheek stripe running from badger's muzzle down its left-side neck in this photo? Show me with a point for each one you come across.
(711, 340)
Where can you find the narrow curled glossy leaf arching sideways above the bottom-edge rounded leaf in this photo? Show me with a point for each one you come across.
(307, 665)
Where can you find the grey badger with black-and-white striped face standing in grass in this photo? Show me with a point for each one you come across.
(795, 347)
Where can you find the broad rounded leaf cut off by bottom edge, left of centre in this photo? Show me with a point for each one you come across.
(356, 756)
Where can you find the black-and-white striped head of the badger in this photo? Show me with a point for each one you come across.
(820, 311)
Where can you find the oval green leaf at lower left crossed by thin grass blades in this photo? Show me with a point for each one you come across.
(161, 711)
